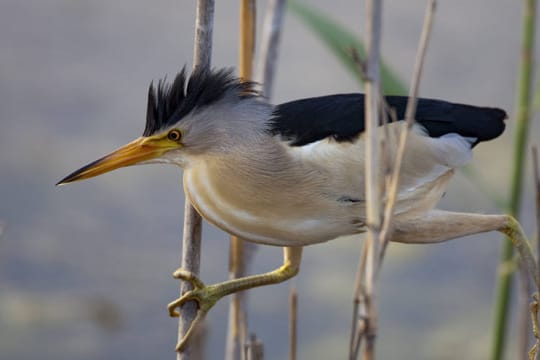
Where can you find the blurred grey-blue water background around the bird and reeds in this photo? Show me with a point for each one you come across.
(85, 269)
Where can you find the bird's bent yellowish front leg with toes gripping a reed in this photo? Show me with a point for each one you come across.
(206, 296)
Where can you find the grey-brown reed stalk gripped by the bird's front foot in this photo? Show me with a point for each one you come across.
(191, 241)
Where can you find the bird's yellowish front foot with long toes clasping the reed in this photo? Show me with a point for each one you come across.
(205, 296)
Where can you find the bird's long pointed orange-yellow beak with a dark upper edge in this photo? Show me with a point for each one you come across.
(139, 150)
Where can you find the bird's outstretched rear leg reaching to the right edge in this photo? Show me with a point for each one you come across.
(438, 226)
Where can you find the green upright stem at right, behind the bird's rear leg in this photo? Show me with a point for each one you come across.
(523, 108)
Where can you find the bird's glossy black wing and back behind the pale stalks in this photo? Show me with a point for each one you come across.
(341, 117)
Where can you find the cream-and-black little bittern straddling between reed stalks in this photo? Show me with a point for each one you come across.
(291, 175)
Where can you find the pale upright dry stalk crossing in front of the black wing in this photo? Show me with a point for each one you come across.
(373, 183)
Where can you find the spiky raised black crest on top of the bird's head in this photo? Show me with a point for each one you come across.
(168, 103)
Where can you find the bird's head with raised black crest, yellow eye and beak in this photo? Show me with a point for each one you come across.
(187, 117)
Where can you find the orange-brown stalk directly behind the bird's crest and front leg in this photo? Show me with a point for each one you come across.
(237, 327)
